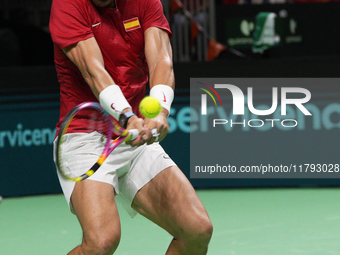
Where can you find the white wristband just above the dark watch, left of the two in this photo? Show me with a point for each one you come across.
(113, 100)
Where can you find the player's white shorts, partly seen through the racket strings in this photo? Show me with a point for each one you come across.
(127, 168)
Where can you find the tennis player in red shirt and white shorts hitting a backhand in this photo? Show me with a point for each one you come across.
(107, 51)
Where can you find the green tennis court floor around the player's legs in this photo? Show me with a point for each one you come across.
(246, 222)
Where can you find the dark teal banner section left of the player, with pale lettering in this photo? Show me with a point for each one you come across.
(27, 132)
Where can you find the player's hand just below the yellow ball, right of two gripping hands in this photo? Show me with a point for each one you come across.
(159, 123)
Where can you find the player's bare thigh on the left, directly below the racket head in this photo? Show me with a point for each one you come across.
(95, 206)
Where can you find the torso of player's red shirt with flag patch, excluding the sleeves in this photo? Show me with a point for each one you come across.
(120, 37)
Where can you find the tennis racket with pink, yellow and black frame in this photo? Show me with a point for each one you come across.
(95, 119)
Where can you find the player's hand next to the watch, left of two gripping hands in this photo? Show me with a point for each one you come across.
(144, 132)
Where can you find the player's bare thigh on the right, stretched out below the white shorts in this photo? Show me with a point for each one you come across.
(170, 201)
